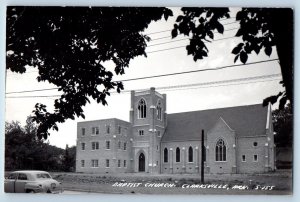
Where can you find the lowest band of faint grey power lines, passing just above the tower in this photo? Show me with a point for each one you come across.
(271, 77)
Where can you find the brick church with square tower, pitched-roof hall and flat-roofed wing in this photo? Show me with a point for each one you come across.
(237, 140)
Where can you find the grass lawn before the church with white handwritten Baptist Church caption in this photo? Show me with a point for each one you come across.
(278, 183)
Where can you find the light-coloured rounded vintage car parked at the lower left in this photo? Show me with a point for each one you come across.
(31, 181)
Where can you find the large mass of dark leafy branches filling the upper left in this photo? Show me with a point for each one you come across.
(68, 46)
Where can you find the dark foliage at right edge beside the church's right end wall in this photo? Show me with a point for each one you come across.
(283, 126)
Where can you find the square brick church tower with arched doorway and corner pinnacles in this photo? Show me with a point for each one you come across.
(149, 119)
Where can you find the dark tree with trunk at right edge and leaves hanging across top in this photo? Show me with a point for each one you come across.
(260, 28)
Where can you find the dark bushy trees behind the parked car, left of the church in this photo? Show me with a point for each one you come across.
(23, 150)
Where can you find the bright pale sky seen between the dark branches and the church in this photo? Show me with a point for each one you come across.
(173, 60)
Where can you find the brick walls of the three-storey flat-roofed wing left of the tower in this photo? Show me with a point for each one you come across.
(114, 154)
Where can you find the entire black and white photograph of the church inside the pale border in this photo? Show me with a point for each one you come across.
(149, 100)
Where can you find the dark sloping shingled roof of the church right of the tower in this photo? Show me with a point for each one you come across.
(244, 120)
